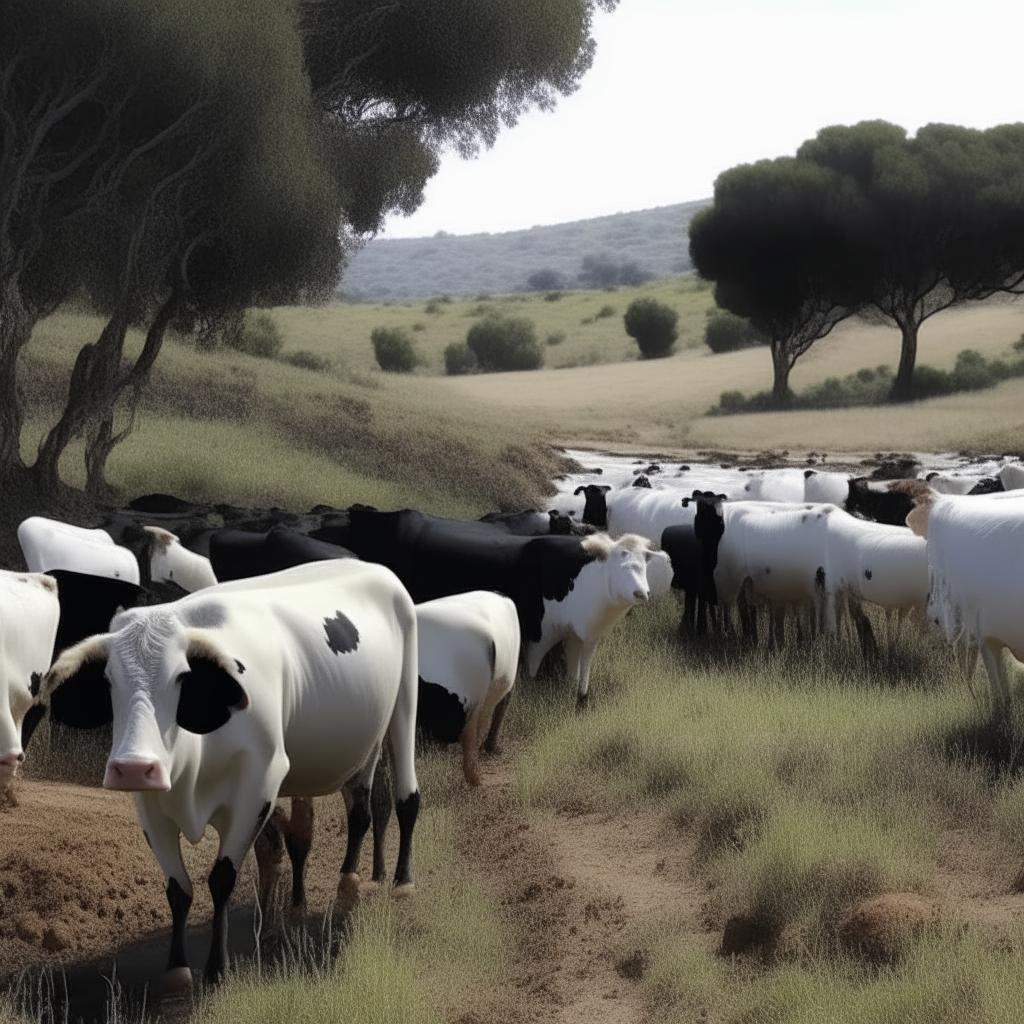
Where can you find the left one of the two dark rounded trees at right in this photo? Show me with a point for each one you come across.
(777, 244)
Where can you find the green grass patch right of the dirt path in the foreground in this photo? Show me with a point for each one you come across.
(805, 783)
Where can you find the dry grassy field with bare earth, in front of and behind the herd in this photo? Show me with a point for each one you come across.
(729, 835)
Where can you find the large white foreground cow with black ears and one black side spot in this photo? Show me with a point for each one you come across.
(286, 685)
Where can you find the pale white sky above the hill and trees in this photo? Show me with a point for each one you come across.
(681, 91)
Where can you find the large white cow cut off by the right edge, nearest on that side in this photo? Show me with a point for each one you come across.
(976, 566)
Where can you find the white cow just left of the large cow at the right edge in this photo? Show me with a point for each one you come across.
(872, 562)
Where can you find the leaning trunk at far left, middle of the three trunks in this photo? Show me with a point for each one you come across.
(89, 395)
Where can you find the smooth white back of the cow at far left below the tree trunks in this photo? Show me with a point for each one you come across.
(50, 545)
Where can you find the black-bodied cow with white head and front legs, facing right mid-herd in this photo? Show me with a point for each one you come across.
(567, 590)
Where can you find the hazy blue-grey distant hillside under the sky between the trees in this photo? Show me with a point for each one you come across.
(654, 243)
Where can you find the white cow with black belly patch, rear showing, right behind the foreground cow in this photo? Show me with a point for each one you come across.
(470, 651)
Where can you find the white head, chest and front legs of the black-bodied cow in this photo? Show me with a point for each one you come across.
(603, 592)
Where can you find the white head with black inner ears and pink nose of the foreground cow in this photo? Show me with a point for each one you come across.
(151, 677)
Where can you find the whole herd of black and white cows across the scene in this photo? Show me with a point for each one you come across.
(290, 656)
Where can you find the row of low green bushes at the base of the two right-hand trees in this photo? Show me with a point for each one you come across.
(874, 388)
